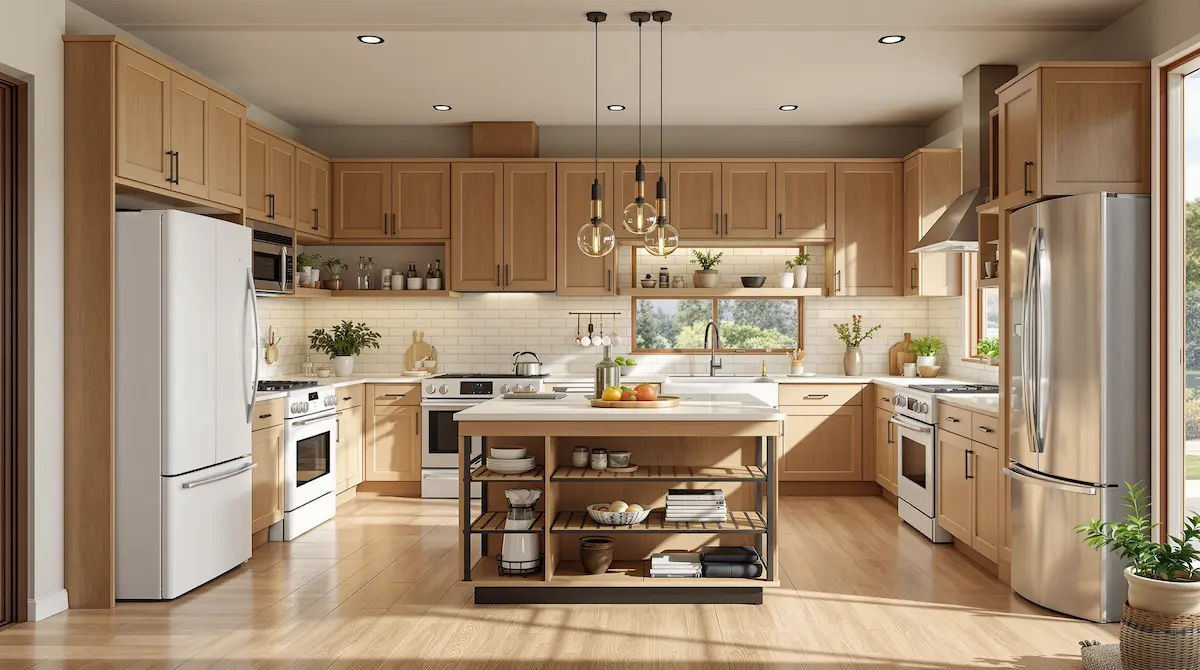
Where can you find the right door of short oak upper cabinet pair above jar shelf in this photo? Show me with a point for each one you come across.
(421, 201)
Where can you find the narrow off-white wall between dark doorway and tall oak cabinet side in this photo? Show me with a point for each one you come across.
(32, 50)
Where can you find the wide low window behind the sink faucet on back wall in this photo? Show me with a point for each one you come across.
(747, 325)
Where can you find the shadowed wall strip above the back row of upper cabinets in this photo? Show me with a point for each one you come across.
(715, 142)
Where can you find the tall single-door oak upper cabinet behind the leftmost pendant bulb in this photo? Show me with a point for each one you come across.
(579, 274)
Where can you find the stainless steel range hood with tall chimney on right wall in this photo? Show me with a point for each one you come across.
(958, 230)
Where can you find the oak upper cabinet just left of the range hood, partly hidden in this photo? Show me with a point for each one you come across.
(933, 180)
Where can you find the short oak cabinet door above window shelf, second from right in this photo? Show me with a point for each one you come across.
(749, 201)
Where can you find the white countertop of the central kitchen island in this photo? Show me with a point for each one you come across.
(577, 408)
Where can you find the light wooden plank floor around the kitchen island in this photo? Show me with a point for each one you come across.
(379, 588)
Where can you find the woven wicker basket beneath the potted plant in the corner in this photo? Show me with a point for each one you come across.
(1155, 642)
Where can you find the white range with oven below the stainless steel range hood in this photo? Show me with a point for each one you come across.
(916, 435)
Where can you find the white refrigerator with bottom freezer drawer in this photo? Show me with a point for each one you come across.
(187, 374)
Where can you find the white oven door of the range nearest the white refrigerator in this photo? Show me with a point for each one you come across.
(309, 458)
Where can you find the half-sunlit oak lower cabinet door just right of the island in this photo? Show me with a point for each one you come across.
(823, 444)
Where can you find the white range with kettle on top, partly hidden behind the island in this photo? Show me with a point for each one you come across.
(441, 398)
